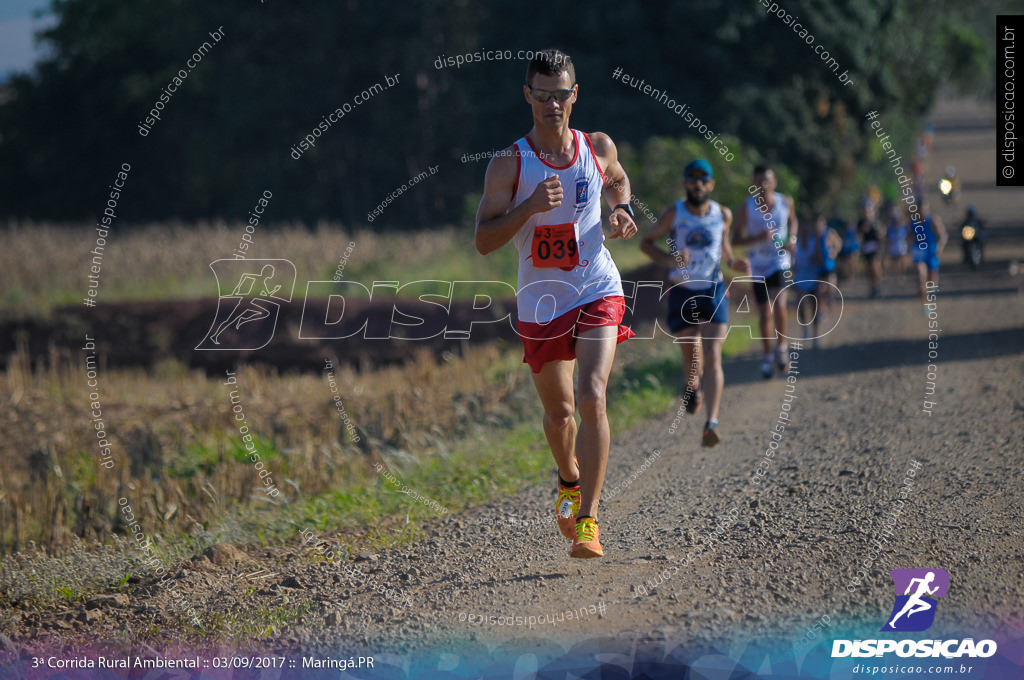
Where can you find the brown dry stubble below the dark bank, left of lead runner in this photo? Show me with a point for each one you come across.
(178, 452)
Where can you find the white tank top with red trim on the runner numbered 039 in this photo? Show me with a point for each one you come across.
(545, 293)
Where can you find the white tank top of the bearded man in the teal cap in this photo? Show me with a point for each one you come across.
(703, 238)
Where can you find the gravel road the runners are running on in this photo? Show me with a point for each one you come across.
(700, 547)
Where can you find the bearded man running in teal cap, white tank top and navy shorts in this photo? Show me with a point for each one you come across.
(698, 312)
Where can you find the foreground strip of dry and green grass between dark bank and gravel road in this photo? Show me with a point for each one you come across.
(462, 431)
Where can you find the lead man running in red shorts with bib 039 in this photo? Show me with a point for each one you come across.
(570, 296)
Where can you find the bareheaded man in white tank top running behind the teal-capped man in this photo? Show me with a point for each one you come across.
(767, 223)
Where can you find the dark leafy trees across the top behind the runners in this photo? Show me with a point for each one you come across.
(227, 135)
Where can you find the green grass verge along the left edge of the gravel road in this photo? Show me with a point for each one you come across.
(372, 513)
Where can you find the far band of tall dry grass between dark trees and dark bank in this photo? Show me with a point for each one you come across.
(45, 266)
